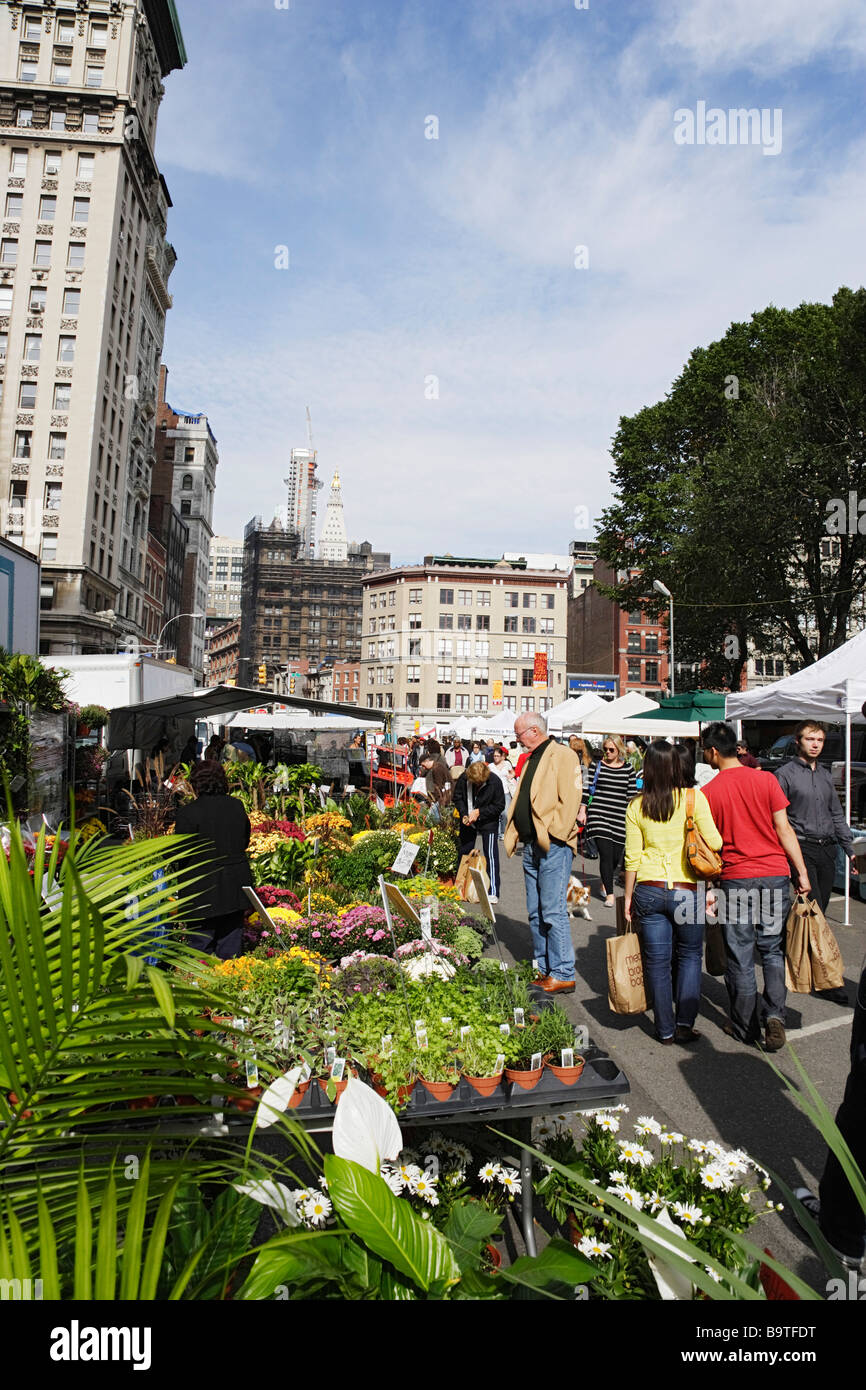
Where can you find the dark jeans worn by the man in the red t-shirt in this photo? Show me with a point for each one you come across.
(755, 913)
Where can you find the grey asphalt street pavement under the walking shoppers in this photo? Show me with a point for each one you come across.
(717, 1088)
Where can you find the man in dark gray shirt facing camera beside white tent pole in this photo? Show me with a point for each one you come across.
(817, 815)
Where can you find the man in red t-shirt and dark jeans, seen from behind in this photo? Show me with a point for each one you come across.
(758, 842)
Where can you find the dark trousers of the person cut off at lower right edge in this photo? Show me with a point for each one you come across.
(843, 1220)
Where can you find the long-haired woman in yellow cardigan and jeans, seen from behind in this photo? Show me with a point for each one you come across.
(665, 899)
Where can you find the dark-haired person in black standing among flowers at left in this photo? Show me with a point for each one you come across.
(218, 910)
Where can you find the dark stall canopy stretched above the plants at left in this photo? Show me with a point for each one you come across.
(142, 726)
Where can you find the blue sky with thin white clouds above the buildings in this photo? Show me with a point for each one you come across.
(469, 236)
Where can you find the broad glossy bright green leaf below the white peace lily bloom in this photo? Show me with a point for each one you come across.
(389, 1225)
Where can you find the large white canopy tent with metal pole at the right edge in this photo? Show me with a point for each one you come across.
(832, 690)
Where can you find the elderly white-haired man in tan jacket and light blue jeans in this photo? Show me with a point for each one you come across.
(544, 819)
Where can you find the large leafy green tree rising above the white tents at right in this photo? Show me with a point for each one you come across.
(733, 490)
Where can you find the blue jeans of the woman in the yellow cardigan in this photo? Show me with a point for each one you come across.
(662, 925)
